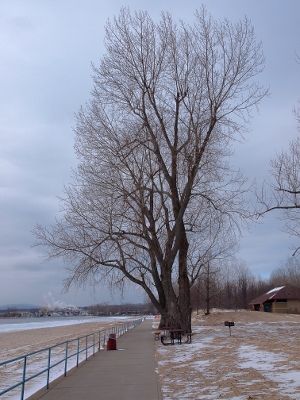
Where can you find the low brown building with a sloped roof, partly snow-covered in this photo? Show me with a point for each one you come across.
(283, 299)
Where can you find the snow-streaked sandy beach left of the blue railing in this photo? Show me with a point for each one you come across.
(25, 335)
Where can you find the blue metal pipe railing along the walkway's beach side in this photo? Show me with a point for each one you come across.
(58, 355)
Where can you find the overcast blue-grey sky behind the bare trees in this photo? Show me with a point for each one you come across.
(46, 50)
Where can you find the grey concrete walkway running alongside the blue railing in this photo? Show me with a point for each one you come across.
(128, 373)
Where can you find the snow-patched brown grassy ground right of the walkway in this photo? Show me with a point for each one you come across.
(261, 360)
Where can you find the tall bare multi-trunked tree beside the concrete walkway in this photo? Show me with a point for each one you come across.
(154, 197)
